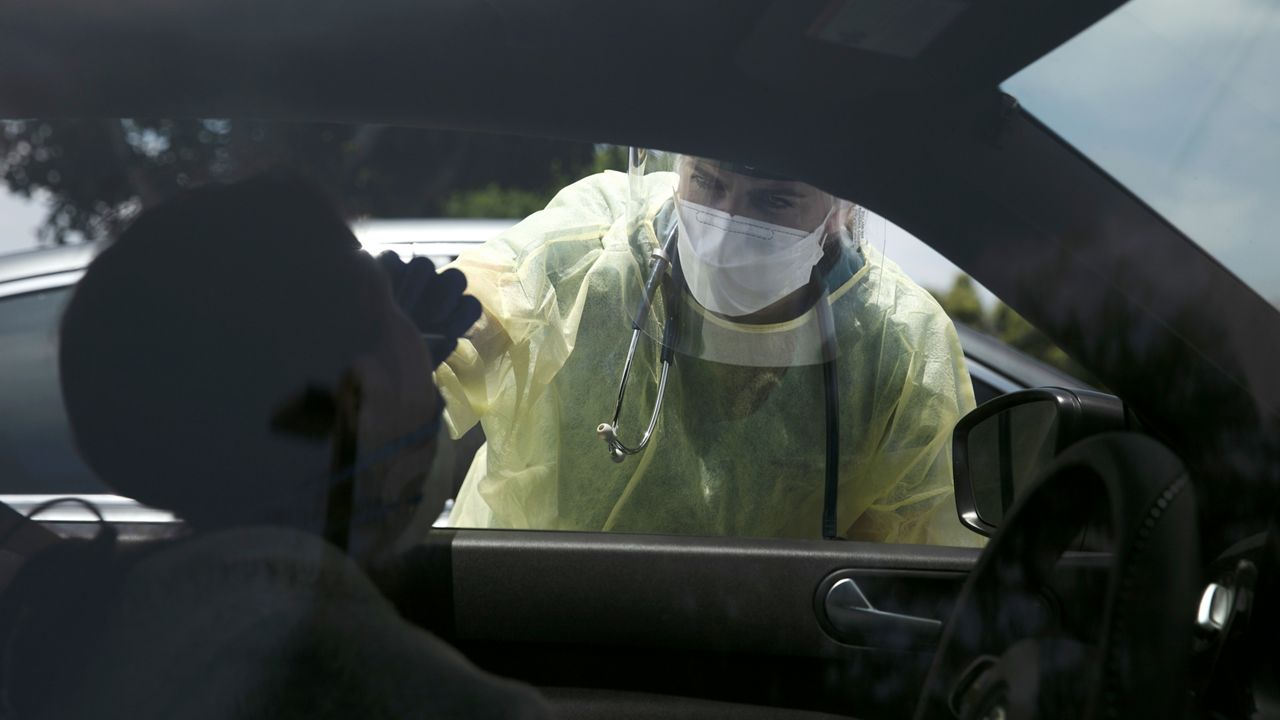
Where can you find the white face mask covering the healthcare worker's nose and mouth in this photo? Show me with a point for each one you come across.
(735, 266)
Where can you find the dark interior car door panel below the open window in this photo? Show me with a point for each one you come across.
(735, 621)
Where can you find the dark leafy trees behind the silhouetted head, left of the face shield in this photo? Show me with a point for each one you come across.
(100, 174)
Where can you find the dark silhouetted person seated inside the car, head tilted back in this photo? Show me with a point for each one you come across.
(236, 359)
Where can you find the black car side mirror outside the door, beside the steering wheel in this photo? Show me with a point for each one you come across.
(1003, 446)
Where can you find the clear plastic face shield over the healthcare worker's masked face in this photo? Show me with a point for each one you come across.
(740, 270)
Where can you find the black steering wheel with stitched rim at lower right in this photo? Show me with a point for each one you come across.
(1005, 654)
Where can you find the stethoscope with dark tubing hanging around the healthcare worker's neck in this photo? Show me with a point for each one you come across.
(660, 274)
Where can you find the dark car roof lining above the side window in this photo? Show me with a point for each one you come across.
(602, 72)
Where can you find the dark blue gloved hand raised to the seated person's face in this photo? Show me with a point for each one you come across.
(433, 300)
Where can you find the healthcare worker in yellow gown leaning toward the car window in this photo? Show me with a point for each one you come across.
(810, 386)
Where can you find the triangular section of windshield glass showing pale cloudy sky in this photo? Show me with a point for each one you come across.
(1178, 101)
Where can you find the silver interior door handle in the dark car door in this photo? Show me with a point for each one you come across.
(856, 622)
